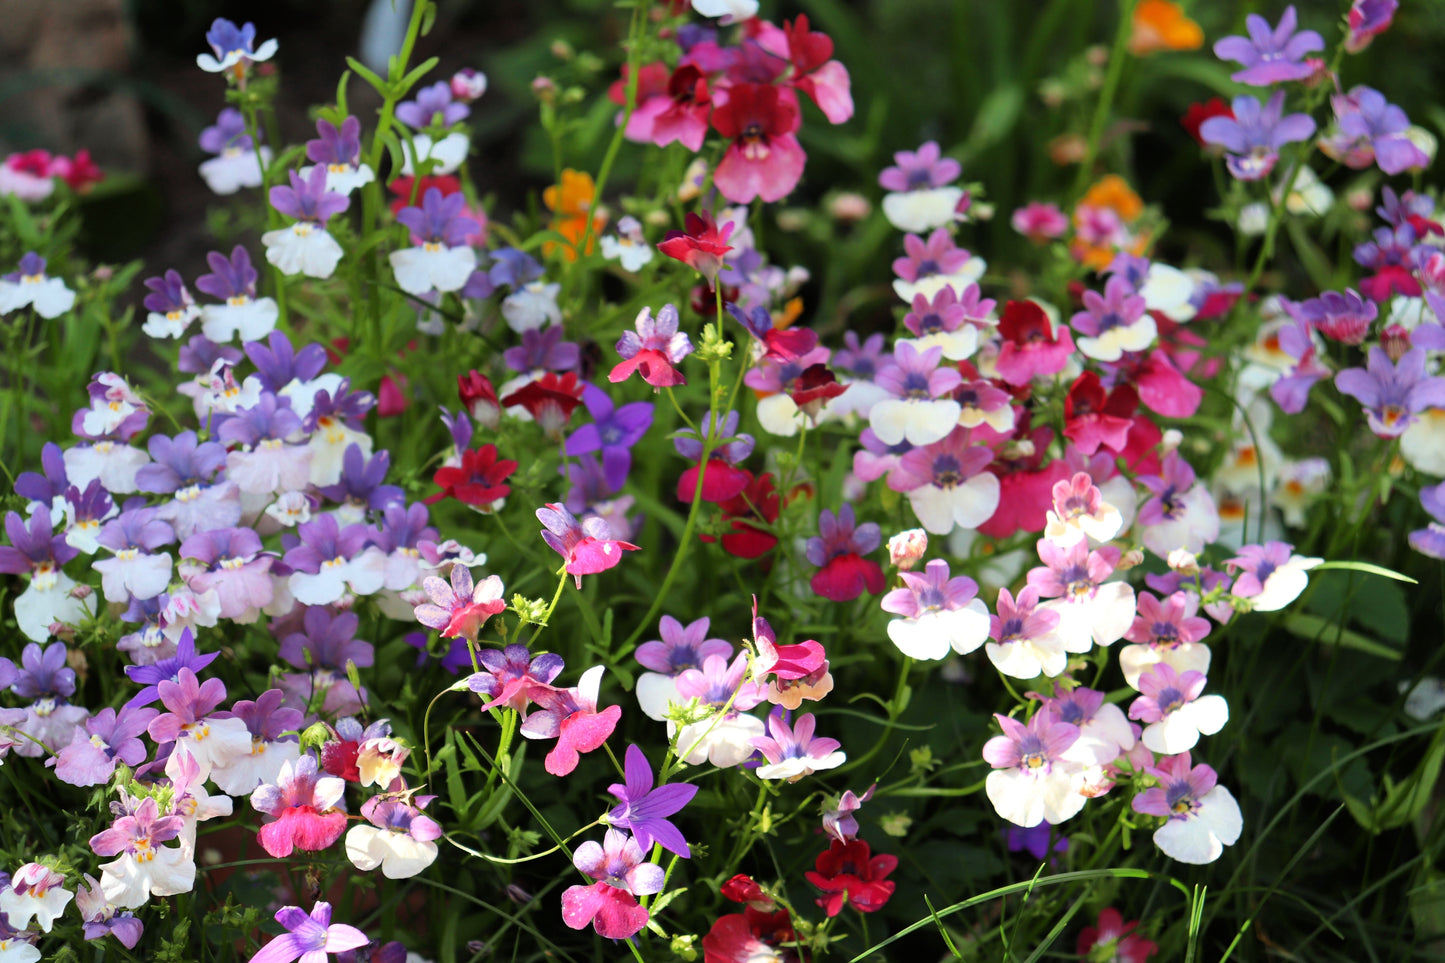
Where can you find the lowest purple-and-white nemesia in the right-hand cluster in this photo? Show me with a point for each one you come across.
(1202, 816)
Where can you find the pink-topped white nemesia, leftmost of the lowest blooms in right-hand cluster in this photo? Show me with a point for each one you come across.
(1034, 782)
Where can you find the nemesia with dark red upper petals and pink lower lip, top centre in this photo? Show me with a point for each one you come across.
(765, 158)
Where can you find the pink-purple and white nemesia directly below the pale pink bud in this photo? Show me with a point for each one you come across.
(939, 614)
